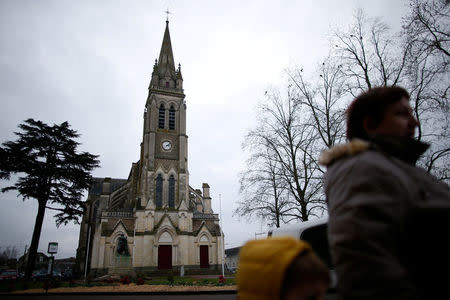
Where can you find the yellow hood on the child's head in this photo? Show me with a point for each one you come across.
(262, 264)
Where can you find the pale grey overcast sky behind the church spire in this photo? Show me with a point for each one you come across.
(90, 62)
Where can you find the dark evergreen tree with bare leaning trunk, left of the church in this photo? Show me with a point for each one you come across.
(51, 171)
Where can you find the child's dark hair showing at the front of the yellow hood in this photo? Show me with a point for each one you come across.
(306, 267)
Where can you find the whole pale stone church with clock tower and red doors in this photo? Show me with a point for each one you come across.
(153, 221)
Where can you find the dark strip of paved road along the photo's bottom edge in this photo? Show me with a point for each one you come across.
(122, 297)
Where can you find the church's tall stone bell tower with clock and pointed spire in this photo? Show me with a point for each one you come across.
(163, 166)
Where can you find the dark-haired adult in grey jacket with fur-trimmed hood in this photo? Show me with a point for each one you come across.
(389, 220)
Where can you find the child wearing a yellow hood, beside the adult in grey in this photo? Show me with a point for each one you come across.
(280, 268)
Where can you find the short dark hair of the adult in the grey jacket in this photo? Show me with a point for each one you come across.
(371, 104)
